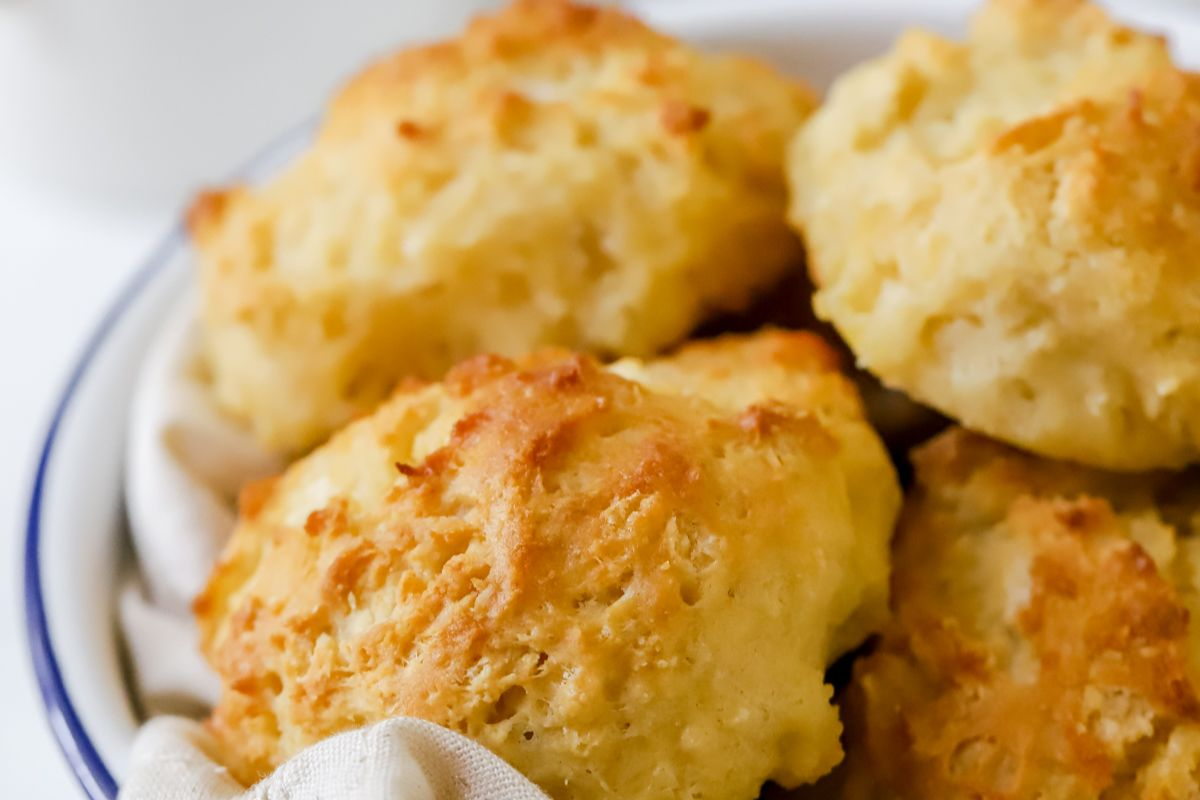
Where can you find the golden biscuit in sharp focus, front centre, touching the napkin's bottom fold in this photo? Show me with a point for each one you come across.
(627, 590)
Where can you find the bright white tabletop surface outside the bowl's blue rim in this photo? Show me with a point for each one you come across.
(63, 258)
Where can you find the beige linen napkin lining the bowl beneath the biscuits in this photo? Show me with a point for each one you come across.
(185, 465)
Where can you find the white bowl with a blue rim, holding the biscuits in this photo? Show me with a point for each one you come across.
(76, 540)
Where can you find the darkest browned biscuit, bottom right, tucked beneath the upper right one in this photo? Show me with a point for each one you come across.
(1043, 643)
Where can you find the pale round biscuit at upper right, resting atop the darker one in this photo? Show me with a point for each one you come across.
(1006, 228)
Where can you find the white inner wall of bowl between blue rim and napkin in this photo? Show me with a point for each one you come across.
(82, 540)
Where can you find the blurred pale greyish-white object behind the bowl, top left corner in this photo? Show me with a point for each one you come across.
(134, 101)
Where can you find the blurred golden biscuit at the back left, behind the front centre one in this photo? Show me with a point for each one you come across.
(557, 176)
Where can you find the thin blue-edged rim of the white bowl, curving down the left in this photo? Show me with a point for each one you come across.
(91, 771)
